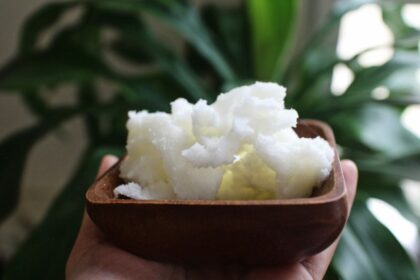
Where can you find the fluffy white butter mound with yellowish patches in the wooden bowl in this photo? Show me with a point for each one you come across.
(240, 147)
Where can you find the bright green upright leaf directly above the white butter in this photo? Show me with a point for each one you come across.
(272, 24)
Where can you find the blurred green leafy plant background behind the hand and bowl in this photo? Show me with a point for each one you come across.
(86, 63)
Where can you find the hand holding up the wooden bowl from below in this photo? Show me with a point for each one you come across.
(93, 257)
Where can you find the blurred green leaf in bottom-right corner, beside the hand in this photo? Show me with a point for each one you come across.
(383, 256)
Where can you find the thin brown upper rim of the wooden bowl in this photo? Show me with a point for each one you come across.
(337, 191)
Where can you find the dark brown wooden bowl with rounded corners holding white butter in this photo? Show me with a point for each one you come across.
(224, 231)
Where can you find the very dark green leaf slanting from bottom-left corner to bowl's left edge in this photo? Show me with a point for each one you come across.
(44, 254)
